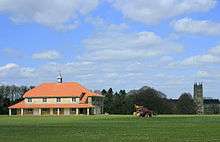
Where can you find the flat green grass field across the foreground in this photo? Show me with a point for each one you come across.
(165, 128)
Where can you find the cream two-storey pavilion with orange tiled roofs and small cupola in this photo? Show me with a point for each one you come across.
(59, 98)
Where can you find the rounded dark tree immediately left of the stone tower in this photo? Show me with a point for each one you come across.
(185, 104)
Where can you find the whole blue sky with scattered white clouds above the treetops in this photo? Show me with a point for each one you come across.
(124, 44)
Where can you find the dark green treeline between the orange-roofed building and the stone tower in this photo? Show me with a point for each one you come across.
(123, 103)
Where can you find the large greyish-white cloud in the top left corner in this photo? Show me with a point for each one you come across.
(60, 15)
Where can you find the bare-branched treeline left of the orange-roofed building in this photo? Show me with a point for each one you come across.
(10, 95)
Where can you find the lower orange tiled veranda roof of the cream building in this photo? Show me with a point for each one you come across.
(24, 105)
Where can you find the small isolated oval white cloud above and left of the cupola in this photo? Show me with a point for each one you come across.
(47, 55)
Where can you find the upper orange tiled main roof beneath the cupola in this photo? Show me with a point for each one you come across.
(68, 89)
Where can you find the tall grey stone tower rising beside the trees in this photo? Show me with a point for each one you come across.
(198, 97)
